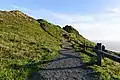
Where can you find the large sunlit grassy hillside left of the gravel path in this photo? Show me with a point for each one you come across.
(23, 41)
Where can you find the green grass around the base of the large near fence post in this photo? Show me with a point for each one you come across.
(110, 70)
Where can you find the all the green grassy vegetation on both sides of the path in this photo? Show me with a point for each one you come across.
(25, 43)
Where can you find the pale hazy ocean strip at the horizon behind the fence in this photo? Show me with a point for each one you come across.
(110, 45)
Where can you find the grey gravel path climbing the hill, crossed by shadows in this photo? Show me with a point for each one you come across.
(66, 66)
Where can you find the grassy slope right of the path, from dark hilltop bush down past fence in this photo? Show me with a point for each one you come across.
(110, 70)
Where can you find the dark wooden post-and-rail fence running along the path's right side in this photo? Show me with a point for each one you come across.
(101, 52)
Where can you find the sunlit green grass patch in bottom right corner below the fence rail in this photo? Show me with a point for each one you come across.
(109, 70)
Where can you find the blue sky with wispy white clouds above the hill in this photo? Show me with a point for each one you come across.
(94, 19)
